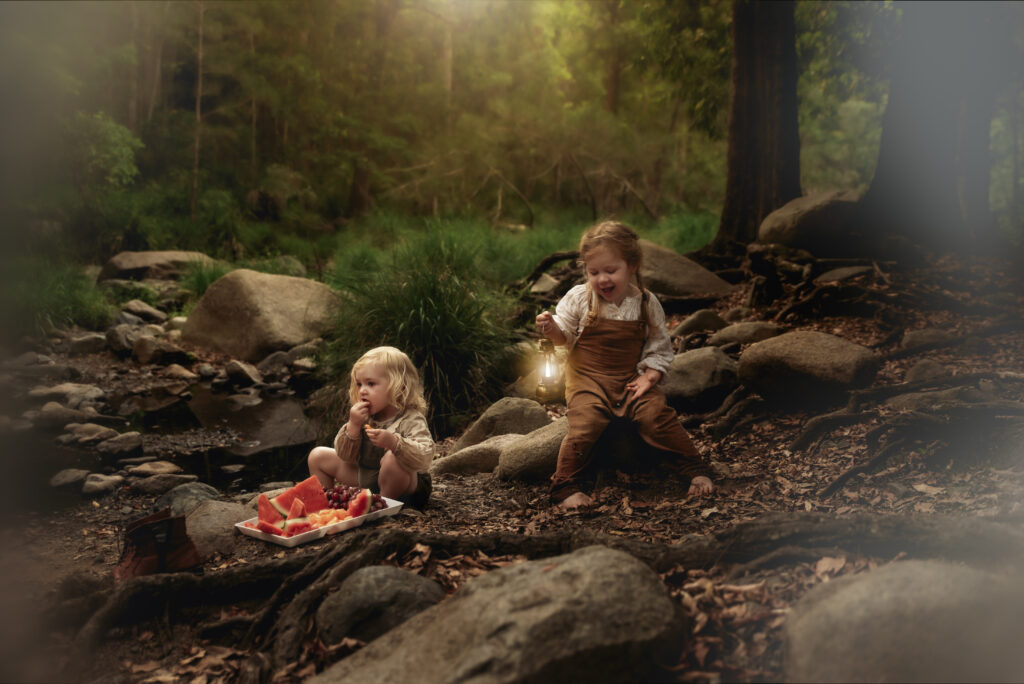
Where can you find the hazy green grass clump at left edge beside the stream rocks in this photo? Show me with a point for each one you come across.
(40, 294)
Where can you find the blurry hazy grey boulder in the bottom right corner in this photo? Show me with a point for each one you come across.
(909, 622)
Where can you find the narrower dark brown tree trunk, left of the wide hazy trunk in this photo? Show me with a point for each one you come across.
(764, 144)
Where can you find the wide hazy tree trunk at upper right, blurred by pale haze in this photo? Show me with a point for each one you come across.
(931, 183)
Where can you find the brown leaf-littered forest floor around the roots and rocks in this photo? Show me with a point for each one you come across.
(737, 614)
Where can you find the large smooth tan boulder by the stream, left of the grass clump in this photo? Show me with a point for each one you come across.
(248, 315)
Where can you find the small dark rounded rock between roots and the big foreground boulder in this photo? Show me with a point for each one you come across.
(372, 602)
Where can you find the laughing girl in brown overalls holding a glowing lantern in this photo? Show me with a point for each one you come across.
(620, 350)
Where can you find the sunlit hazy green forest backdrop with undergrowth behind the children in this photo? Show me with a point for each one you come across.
(419, 155)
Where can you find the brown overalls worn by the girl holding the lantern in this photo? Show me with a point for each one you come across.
(601, 365)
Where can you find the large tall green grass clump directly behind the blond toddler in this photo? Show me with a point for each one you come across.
(431, 301)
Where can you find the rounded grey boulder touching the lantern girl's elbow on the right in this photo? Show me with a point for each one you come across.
(700, 380)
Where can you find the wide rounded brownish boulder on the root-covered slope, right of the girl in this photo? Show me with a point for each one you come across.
(806, 367)
